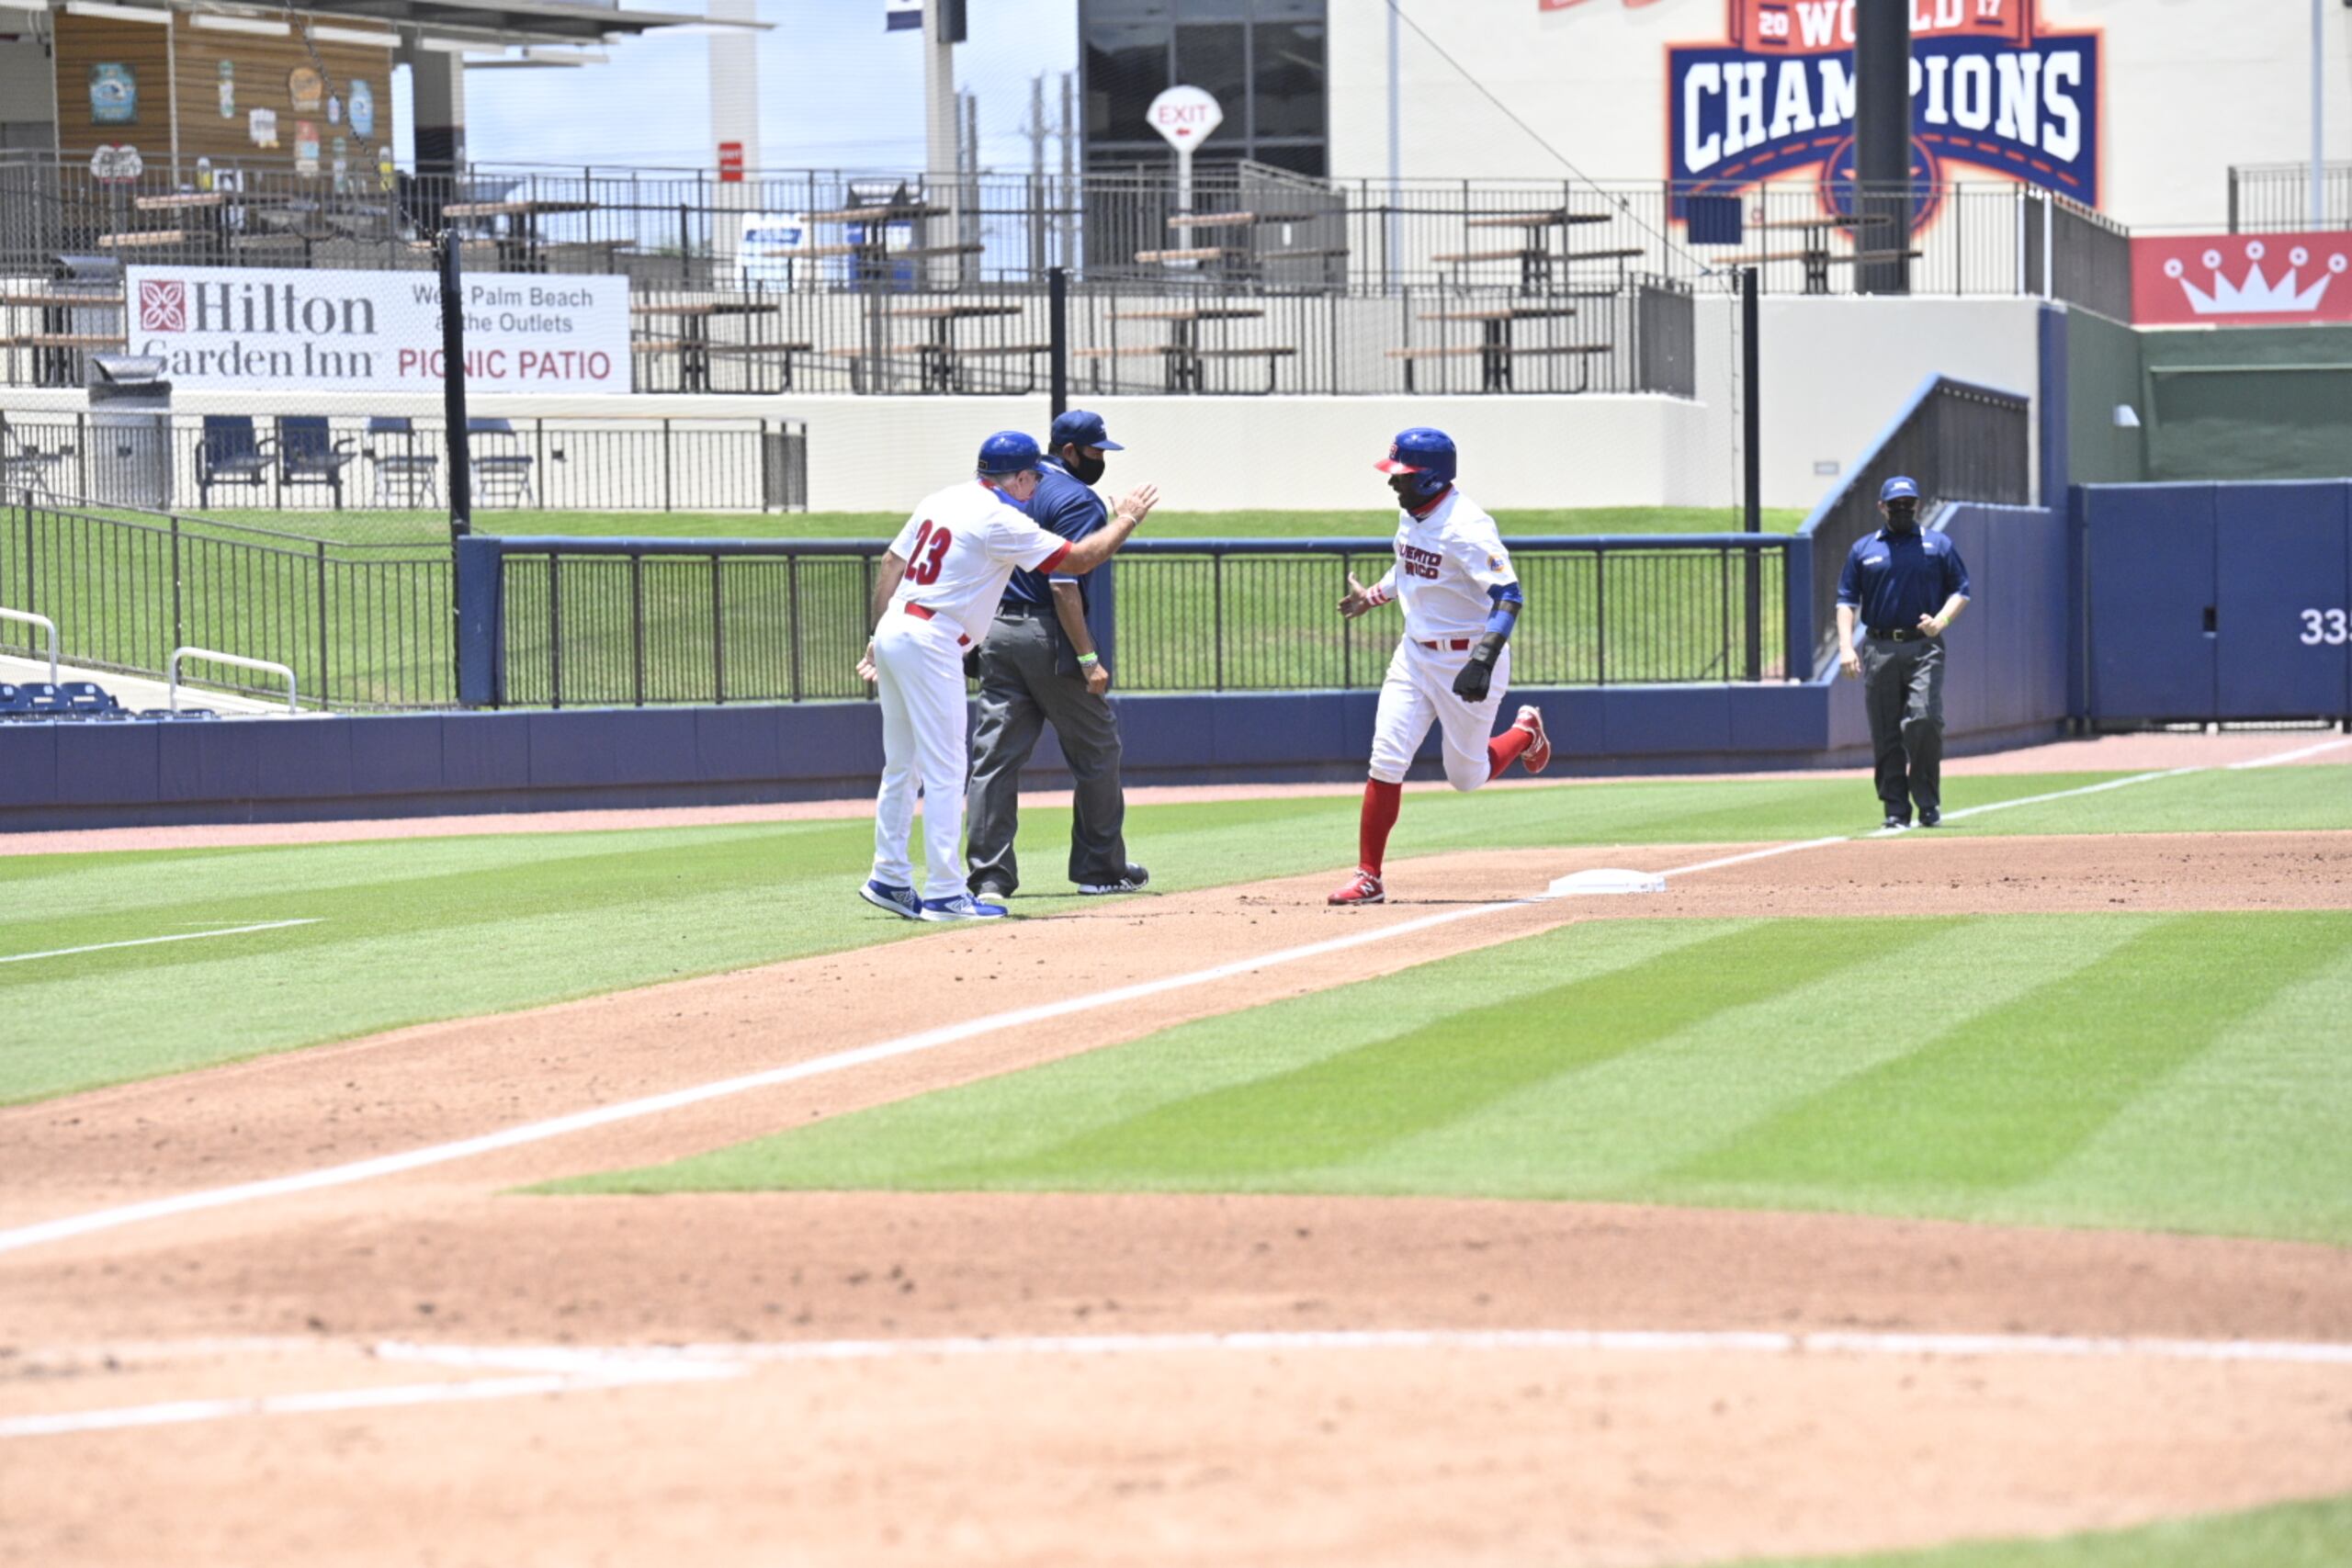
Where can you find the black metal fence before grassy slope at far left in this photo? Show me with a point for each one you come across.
(359, 626)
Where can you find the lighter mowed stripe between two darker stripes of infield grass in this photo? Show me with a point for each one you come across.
(1648, 1111)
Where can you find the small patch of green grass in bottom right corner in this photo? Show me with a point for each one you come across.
(2316, 1534)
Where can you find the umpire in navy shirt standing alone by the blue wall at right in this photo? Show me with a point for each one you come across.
(1906, 589)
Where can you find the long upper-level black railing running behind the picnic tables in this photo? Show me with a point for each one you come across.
(1250, 227)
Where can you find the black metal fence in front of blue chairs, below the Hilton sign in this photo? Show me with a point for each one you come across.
(321, 464)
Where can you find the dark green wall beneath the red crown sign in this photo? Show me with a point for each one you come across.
(2231, 403)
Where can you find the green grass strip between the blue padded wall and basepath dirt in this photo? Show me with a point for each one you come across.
(587, 913)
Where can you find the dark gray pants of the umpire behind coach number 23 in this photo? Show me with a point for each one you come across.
(1022, 695)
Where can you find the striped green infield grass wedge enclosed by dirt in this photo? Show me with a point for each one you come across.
(1372, 1090)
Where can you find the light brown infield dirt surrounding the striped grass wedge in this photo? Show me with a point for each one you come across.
(1344, 1456)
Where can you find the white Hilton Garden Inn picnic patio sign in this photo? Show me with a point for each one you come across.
(377, 333)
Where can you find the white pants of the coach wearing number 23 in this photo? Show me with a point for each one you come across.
(921, 678)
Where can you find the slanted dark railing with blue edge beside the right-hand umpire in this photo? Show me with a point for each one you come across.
(1958, 441)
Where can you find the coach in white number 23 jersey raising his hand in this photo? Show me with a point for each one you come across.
(937, 591)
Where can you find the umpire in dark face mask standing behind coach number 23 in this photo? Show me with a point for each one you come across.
(1038, 666)
